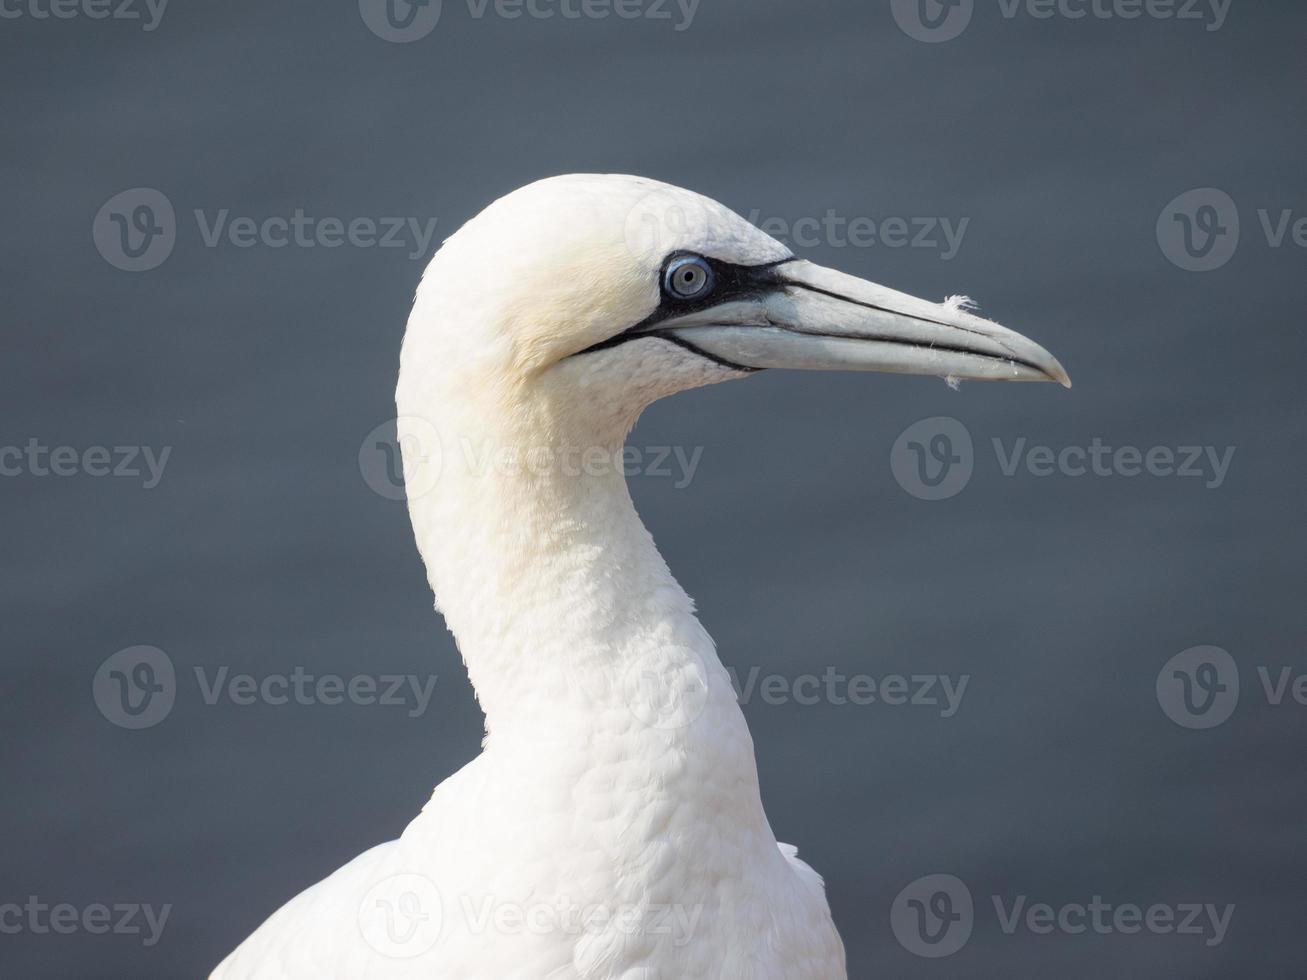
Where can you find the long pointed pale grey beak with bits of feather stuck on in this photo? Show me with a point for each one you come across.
(818, 319)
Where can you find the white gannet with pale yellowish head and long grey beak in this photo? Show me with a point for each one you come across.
(612, 828)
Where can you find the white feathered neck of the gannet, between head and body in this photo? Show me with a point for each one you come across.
(568, 619)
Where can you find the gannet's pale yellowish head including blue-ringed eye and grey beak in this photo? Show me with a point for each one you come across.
(603, 293)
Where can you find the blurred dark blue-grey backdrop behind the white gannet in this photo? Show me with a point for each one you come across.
(263, 548)
